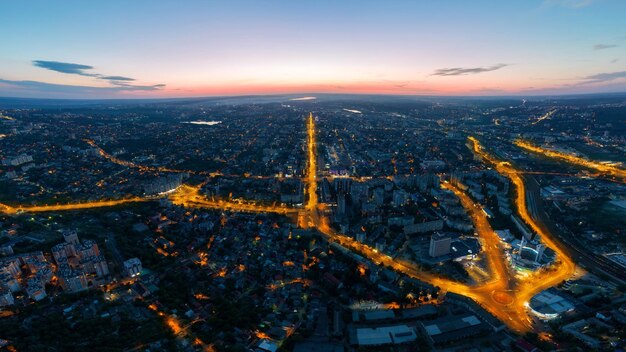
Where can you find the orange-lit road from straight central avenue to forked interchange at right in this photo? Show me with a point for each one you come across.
(504, 296)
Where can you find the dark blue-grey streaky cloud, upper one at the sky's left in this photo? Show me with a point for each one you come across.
(82, 70)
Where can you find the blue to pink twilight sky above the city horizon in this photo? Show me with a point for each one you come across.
(154, 49)
